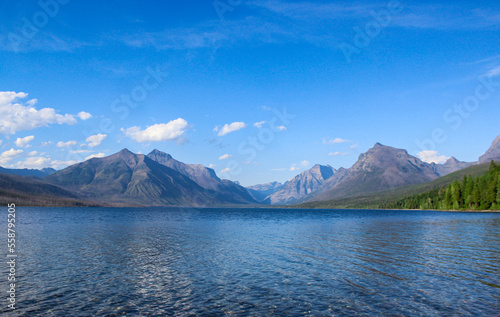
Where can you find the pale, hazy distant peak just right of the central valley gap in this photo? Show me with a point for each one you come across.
(301, 185)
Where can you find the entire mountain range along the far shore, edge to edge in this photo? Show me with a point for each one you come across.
(157, 179)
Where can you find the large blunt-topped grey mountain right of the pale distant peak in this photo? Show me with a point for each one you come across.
(380, 168)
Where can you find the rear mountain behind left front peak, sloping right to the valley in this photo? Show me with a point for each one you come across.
(205, 177)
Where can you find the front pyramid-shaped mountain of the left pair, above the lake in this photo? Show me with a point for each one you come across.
(130, 178)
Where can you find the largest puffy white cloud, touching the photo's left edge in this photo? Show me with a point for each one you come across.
(15, 116)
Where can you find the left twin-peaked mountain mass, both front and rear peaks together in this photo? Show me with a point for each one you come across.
(126, 177)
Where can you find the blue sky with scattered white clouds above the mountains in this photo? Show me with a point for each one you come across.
(258, 90)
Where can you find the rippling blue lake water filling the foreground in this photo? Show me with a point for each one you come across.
(258, 262)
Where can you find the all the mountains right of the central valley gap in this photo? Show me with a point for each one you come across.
(380, 168)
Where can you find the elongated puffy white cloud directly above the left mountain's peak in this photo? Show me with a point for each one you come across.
(158, 132)
